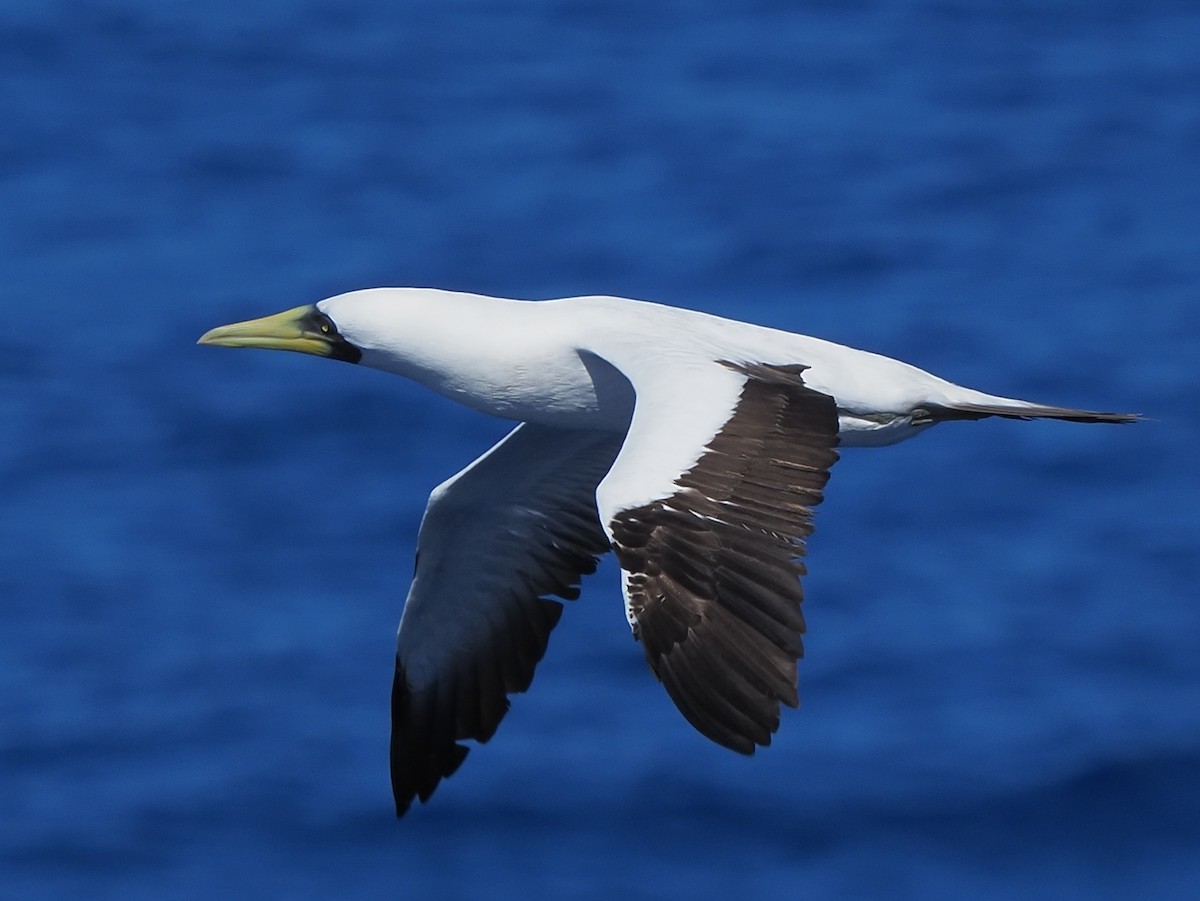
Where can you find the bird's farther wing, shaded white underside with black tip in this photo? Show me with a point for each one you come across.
(497, 542)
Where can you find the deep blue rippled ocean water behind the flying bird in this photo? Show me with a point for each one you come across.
(203, 554)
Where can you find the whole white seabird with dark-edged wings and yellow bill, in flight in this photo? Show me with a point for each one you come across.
(693, 447)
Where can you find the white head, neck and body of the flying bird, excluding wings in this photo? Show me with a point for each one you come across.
(571, 363)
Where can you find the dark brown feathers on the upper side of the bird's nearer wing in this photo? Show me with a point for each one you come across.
(712, 578)
